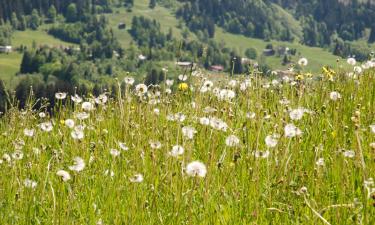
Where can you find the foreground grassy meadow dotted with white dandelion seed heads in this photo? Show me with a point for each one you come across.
(244, 151)
